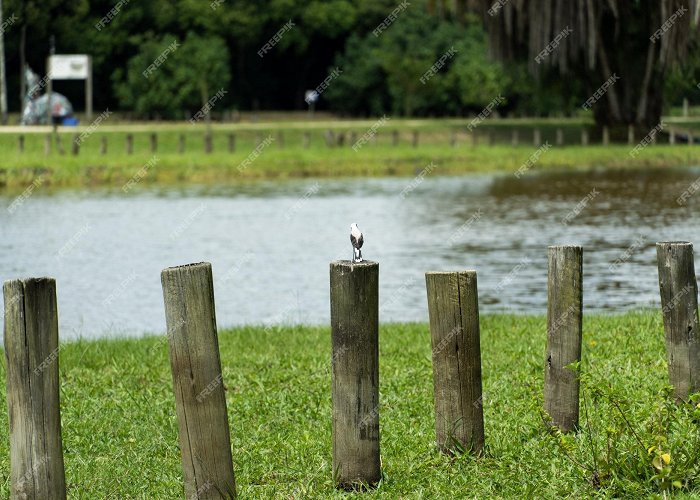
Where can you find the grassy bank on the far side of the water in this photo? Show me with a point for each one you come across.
(285, 155)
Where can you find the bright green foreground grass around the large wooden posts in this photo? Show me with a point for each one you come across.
(120, 432)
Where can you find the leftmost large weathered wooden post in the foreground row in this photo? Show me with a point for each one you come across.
(31, 352)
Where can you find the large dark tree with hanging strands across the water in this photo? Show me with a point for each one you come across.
(638, 41)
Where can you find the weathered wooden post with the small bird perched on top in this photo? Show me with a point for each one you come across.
(355, 371)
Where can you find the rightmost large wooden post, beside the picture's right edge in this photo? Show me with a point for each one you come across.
(679, 301)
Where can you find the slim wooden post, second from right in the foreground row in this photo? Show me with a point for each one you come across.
(564, 322)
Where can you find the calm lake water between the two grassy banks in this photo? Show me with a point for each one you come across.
(270, 243)
